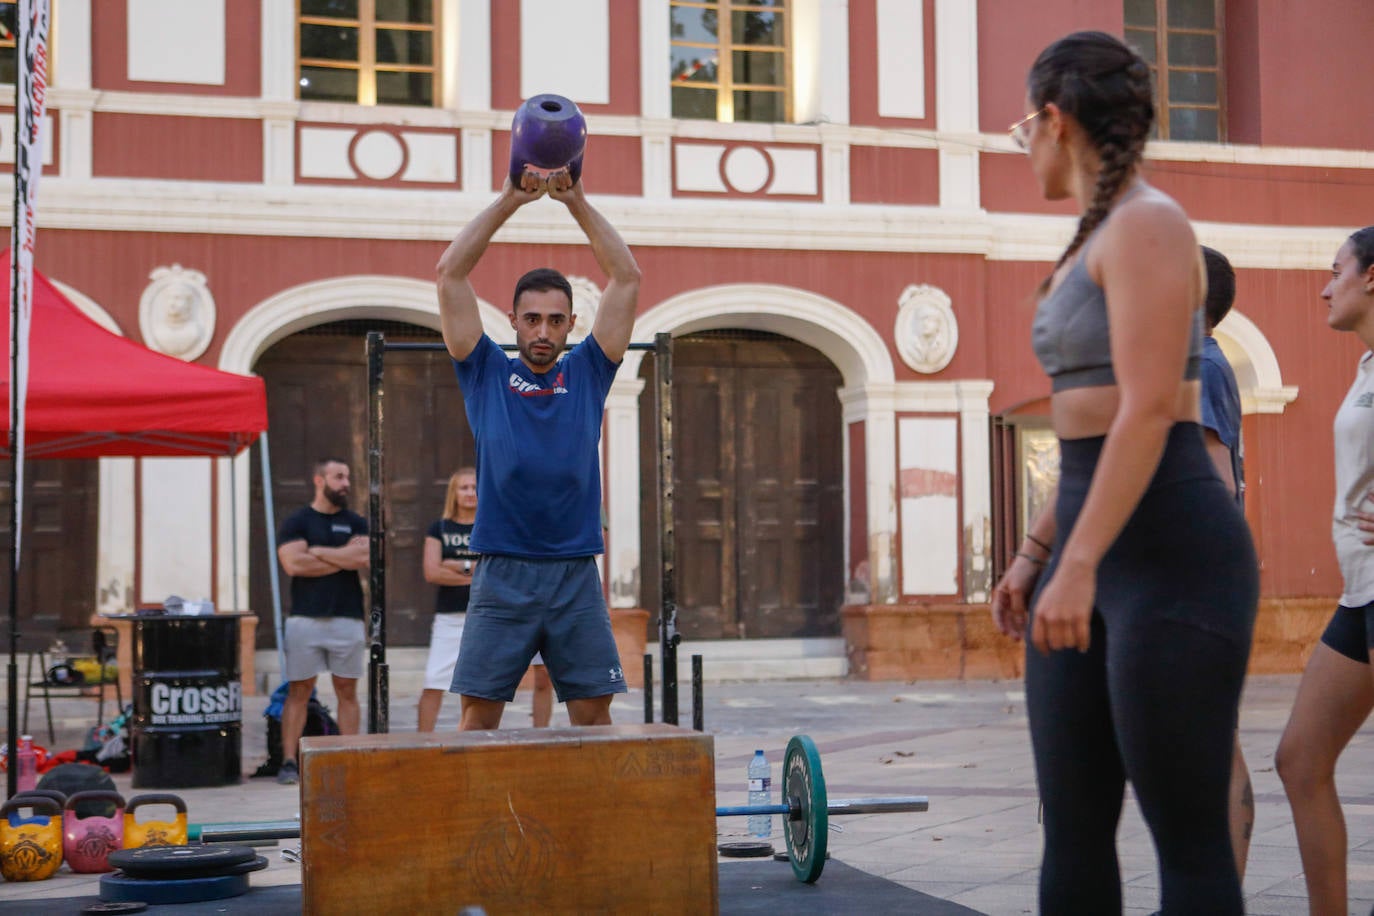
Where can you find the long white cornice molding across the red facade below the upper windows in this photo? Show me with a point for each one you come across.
(315, 212)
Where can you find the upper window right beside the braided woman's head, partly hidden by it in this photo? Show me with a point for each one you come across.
(1182, 42)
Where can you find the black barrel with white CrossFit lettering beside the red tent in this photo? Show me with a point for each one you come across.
(188, 701)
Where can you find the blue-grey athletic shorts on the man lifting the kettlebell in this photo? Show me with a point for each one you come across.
(520, 608)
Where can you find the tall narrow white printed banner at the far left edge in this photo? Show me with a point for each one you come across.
(31, 94)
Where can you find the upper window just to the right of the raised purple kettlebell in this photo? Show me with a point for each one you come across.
(732, 60)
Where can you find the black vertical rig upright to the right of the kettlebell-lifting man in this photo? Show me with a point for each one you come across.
(668, 637)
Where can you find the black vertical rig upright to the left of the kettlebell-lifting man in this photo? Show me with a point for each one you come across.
(379, 702)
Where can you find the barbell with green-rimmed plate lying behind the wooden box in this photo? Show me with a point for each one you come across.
(806, 807)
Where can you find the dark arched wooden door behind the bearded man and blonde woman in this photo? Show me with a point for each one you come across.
(317, 395)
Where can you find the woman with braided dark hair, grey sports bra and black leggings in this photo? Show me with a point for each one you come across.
(1140, 630)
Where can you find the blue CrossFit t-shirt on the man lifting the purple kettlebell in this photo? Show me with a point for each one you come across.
(538, 451)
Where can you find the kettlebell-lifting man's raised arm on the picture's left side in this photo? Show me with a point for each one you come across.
(458, 312)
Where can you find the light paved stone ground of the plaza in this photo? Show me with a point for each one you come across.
(964, 745)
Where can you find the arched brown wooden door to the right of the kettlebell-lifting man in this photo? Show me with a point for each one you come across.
(759, 509)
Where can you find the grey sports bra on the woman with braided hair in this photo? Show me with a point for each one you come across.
(1071, 340)
